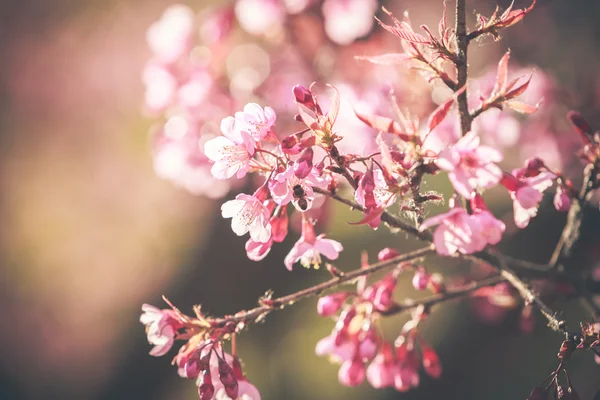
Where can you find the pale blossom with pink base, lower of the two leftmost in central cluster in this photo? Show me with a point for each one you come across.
(248, 214)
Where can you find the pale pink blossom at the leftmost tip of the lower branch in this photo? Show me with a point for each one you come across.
(161, 326)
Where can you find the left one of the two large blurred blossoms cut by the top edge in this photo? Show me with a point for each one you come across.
(259, 17)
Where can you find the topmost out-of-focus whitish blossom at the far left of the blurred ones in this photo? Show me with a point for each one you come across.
(170, 37)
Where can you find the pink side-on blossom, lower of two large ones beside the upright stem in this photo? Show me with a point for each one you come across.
(457, 232)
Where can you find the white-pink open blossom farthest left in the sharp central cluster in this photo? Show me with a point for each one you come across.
(231, 152)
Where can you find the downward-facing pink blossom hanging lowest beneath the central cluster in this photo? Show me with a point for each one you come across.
(308, 248)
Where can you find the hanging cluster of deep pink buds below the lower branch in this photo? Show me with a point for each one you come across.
(356, 342)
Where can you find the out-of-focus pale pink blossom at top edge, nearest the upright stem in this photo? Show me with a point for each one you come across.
(347, 20)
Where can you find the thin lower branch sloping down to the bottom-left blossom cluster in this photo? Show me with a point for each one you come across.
(258, 313)
